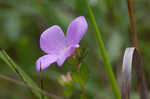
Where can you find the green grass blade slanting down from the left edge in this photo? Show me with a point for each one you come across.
(20, 72)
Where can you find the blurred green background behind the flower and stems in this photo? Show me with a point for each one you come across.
(23, 21)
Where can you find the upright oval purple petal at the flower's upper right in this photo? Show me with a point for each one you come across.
(76, 30)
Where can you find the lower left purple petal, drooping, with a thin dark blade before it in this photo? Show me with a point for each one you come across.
(44, 62)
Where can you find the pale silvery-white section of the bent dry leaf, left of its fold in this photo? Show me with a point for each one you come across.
(126, 73)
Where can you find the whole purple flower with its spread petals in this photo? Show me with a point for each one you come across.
(59, 47)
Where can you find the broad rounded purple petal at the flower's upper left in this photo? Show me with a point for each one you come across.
(52, 40)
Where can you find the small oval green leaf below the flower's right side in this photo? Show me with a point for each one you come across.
(84, 74)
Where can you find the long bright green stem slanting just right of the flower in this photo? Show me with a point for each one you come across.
(104, 56)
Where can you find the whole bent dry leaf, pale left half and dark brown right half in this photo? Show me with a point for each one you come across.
(132, 56)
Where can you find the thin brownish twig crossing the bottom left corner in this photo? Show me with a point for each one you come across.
(28, 86)
